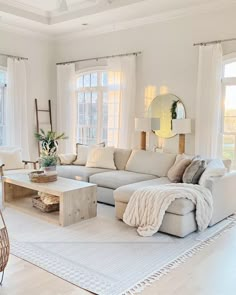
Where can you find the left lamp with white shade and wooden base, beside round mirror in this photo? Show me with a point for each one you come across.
(146, 125)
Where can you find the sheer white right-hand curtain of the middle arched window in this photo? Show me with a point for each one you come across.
(122, 82)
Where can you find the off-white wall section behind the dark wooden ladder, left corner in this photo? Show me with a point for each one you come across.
(41, 75)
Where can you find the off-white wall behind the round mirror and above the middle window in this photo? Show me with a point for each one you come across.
(169, 58)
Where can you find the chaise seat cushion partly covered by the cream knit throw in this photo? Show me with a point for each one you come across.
(179, 206)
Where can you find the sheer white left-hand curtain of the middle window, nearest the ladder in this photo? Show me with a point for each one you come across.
(66, 106)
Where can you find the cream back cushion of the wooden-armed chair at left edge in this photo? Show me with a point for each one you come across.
(11, 158)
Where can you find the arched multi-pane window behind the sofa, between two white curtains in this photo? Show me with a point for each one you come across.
(98, 107)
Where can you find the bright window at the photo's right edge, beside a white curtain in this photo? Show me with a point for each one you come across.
(229, 115)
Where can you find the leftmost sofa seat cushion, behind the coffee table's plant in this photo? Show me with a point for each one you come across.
(71, 171)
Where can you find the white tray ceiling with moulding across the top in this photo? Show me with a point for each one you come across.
(44, 18)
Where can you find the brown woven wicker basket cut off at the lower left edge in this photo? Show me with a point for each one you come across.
(4, 247)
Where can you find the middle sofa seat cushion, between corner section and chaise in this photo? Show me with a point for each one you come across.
(115, 179)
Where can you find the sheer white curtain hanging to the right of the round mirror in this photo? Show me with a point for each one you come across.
(208, 107)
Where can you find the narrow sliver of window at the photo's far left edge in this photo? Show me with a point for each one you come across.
(2, 106)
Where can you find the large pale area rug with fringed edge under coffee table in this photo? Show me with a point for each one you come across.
(103, 255)
